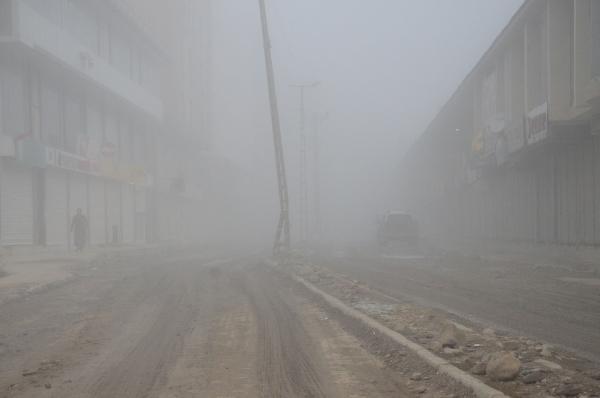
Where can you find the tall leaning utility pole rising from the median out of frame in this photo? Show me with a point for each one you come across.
(282, 236)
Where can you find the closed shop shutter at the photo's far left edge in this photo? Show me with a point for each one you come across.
(17, 206)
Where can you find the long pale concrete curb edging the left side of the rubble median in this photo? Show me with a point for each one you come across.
(478, 387)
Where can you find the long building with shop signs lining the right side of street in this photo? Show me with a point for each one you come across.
(514, 154)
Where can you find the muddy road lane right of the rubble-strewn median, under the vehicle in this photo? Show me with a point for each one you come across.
(554, 304)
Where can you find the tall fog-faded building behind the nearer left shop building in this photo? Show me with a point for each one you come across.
(182, 29)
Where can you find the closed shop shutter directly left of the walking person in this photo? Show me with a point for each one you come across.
(56, 207)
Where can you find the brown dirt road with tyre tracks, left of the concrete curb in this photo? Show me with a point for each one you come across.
(205, 327)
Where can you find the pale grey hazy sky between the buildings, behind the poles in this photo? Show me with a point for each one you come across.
(385, 67)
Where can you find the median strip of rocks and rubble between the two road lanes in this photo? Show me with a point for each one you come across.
(516, 365)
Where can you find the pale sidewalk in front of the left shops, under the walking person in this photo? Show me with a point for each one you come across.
(27, 269)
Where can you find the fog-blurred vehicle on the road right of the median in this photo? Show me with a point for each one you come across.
(397, 227)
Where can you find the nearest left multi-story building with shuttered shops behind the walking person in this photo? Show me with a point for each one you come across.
(80, 111)
